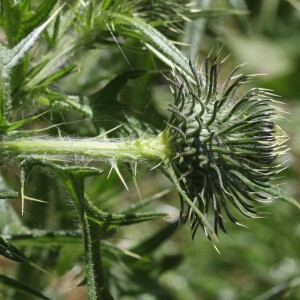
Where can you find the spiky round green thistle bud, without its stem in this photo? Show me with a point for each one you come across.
(224, 146)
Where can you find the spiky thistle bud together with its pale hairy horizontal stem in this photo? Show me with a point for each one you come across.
(219, 150)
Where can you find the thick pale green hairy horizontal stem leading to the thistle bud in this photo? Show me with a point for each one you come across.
(90, 148)
